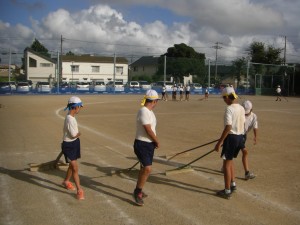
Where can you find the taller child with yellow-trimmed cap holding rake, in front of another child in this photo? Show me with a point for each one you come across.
(231, 139)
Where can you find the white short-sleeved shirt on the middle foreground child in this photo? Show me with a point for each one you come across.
(144, 117)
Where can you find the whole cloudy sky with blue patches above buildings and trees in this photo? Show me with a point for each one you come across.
(135, 28)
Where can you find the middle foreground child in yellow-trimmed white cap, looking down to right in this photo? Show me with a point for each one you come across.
(145, 142)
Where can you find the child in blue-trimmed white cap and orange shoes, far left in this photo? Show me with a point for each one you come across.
(71, 145)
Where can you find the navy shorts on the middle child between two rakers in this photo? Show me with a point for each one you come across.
(144, 152)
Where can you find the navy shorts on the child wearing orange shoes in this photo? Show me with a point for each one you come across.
(71, 150)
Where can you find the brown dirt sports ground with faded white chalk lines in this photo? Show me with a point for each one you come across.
(31, 132)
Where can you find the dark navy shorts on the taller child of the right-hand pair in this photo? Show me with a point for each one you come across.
(232, 145)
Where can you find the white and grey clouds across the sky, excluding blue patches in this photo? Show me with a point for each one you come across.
(103, 30)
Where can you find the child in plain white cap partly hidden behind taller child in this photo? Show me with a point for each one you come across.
(250, 123)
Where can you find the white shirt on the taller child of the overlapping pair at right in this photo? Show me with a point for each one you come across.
(235, 116)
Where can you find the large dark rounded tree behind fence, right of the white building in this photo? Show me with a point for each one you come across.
(182, 60)
